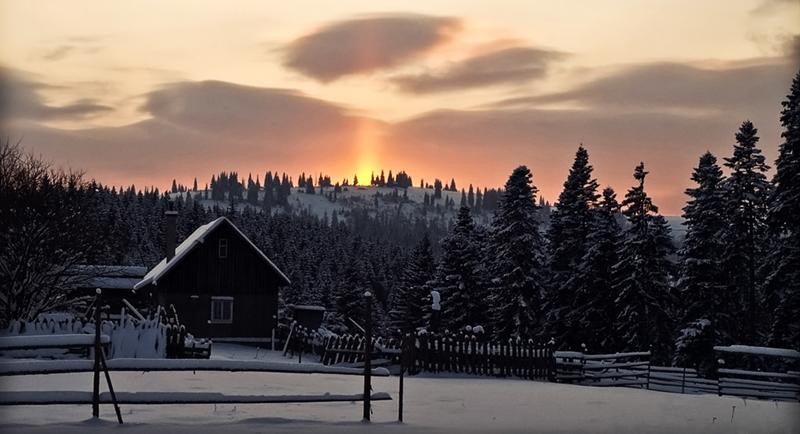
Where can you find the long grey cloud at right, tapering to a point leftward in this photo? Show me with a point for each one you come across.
(677, 87)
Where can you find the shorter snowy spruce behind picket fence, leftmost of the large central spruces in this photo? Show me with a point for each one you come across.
(460, 276)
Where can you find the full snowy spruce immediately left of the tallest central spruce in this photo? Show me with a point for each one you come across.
(515, 254)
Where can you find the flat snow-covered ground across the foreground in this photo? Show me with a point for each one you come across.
(432, 405)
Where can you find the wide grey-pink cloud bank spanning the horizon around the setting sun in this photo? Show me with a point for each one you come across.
(643, 112)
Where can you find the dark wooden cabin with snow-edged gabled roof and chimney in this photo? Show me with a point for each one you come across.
(220, 283)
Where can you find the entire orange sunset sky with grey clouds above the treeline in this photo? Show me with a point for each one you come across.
(143, 92)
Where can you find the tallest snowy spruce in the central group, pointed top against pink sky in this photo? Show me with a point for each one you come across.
(569, 227)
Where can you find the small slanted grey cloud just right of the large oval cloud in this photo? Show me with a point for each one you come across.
(506, 66)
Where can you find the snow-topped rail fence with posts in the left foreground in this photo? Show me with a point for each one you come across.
(100, 364)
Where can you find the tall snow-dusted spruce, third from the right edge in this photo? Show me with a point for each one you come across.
(701, 285)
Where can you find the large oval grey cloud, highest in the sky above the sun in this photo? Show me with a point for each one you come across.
(364, 45)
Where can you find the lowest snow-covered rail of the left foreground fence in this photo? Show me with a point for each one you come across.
(146, 398)
